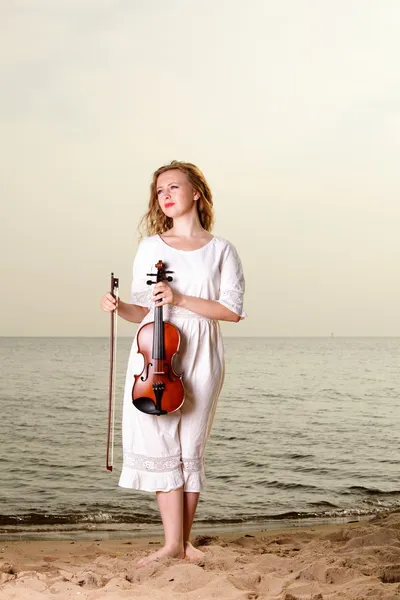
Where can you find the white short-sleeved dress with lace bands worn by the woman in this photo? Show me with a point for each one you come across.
(162, 453)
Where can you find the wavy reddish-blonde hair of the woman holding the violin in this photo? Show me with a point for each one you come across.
(156, 222)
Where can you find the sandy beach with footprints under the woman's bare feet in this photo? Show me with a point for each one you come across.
(355, 561)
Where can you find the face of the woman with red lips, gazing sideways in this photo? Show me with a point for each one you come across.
(175, 193)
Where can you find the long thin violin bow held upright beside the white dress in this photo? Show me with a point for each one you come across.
(111, 387)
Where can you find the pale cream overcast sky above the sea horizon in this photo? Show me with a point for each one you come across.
(292, 110)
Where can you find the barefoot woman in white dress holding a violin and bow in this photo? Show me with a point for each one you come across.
(165, 454)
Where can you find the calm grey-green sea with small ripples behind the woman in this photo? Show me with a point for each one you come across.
(307, 430)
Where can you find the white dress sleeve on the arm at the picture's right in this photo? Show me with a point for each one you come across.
(232, 285)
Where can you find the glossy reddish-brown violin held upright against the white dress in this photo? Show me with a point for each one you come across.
(158, 390)
